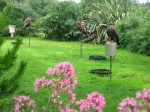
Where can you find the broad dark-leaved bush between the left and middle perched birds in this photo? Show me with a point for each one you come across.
(60, 21)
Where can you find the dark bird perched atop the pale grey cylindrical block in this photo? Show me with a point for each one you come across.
(112, 34)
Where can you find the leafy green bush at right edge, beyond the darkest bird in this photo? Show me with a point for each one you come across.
(134, 32)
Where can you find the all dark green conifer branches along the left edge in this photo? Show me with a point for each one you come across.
(8, 84)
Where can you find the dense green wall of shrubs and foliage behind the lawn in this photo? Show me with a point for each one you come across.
(53, 19)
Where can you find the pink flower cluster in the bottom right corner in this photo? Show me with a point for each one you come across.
(140, 104)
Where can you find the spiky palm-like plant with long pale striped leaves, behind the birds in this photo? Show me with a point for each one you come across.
(105, 12)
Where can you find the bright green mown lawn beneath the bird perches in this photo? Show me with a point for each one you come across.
(131, 72)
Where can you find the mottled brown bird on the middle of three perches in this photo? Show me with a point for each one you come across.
(81, 26)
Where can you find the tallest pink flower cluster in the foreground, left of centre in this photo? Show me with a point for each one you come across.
(63, 81)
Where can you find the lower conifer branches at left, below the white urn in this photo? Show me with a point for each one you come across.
(9, 84)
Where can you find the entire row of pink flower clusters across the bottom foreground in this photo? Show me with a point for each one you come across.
(63, 80)
